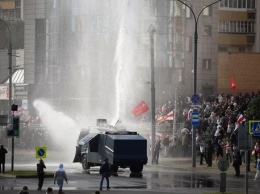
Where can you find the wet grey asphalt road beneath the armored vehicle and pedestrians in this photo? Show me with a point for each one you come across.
(171, 175)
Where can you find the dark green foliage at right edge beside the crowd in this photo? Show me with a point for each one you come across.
(253, 109)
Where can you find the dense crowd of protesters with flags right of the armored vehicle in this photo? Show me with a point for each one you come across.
(216, 135)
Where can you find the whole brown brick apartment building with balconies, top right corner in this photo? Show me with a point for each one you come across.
(239, 45)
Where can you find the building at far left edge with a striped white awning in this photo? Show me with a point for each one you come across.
(11, 31)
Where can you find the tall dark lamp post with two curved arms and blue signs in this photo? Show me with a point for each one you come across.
(196, 19)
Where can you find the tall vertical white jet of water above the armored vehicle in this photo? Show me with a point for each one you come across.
(125, 60)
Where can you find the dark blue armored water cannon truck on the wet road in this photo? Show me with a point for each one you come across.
(123, 149)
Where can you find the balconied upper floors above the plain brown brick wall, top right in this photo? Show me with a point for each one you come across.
(238, 26)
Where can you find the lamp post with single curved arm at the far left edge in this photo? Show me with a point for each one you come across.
(10, 67)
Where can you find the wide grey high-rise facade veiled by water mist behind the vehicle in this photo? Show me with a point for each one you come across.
(77, 51)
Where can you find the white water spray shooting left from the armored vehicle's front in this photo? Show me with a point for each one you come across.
(64, 130)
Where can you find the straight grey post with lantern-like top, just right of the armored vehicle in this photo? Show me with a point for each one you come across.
(152, 31)
